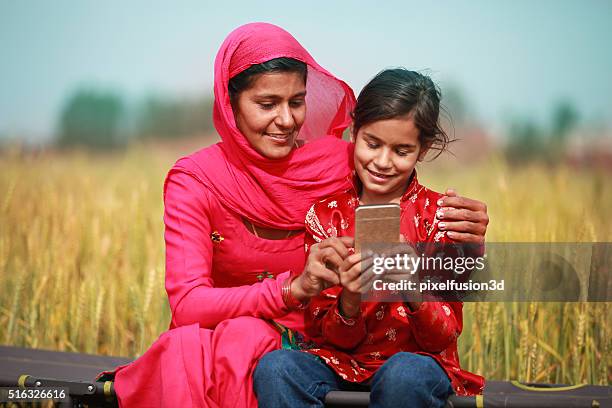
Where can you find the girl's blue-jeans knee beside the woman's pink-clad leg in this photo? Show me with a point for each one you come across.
(290, 378)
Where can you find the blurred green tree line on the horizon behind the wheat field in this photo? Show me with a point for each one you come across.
(101, 119)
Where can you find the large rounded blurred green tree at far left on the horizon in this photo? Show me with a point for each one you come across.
(92, 118)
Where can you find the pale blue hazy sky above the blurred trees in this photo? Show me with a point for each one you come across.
(509, 59)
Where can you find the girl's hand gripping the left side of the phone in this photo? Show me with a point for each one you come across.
(356, 277)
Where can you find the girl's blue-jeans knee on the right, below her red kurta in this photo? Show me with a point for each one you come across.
(410, 380)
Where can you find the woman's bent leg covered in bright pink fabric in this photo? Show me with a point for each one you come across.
(193, 367)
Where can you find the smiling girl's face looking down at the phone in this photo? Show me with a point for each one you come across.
(386, 152)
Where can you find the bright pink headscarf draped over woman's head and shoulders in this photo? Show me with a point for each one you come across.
(275, 193)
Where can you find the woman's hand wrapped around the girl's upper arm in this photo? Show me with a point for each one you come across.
(464, 219)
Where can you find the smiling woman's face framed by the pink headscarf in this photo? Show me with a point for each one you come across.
(271, 112)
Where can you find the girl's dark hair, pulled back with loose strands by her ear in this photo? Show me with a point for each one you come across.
(398, 92)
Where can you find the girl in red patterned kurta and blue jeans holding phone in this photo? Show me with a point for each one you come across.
(406, 352)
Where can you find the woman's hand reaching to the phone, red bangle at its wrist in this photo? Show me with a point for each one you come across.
(320, 271)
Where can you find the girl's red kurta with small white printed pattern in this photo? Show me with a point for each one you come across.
(356, 348)
